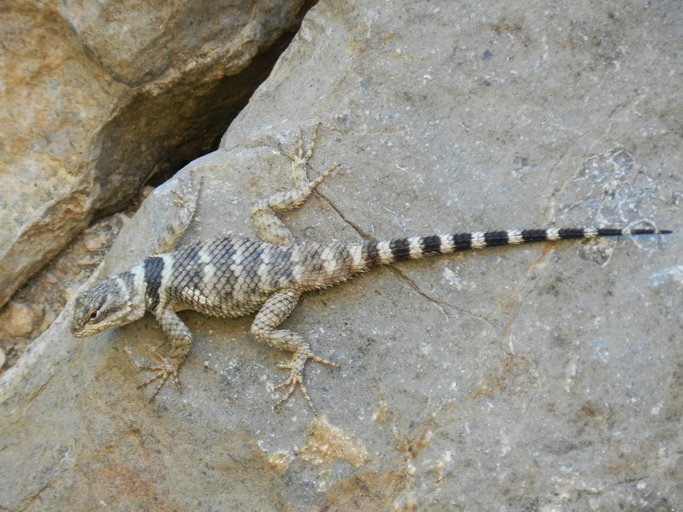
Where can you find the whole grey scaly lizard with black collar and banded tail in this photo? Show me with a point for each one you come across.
(234, 276)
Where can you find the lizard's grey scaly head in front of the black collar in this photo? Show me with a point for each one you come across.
(111, 302)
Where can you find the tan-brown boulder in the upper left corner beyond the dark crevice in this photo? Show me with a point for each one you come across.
(98, 96)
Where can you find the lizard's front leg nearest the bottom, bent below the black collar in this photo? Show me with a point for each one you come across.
(181, 339)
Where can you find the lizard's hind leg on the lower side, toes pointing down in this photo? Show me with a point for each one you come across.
(271, 315)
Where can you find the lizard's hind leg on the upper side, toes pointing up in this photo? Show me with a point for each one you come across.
(268, 226)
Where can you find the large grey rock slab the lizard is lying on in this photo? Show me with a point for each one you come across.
(538, 378)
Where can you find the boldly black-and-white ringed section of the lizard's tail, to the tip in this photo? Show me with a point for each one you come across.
(400, 249)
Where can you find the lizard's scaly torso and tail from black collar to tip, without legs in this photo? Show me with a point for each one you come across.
(233, 276)
